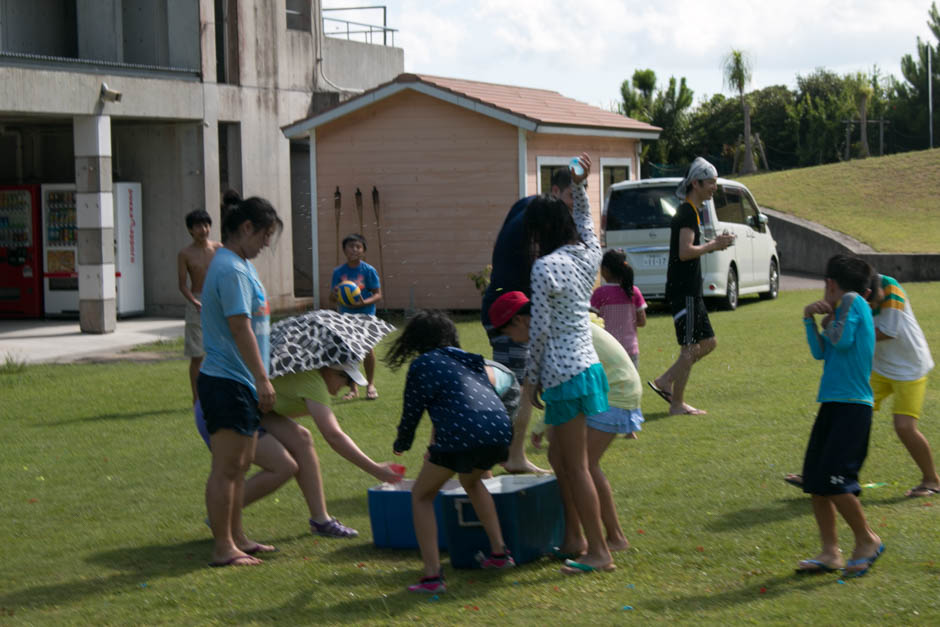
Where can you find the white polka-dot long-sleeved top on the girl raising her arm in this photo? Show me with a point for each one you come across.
(560, 344)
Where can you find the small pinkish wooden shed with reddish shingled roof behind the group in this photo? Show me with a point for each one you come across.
(447, 158)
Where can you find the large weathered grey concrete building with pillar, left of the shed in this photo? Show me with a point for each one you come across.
(197, 91)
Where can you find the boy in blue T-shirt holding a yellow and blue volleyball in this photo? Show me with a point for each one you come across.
(367, 279)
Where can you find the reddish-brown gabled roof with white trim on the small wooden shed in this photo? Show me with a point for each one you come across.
(536, 110)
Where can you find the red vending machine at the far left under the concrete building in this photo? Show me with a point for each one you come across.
(20, 252)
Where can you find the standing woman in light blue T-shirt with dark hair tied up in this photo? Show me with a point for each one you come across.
(233, 383)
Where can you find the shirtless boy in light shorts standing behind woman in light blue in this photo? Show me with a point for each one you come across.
(193, 261)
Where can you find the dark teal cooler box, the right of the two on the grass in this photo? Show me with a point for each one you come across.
(530, 515)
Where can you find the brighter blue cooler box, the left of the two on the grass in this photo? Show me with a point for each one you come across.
(391, 519)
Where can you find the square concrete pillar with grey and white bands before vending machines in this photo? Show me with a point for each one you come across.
(95, 220)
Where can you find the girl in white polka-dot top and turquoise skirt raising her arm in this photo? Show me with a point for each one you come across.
(562, 360)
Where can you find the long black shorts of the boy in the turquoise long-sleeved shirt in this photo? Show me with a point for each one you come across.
(837, 449)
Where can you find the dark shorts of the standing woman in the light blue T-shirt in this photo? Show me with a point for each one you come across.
(228, 404)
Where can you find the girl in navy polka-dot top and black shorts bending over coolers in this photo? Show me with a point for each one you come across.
(472, 432)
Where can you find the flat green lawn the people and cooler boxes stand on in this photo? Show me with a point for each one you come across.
(102, 516)
